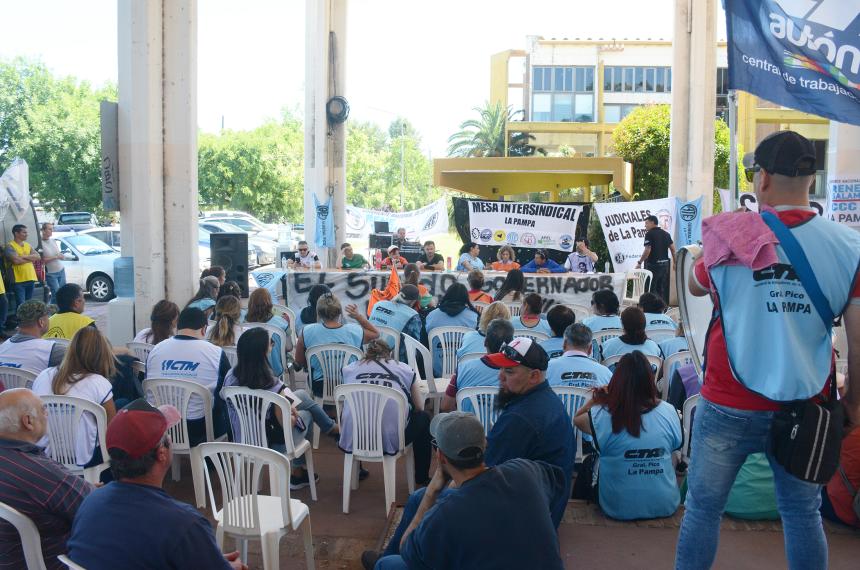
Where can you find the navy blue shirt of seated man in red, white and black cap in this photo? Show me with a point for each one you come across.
(536, 426)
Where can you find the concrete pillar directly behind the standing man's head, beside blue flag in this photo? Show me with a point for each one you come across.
(694, 69)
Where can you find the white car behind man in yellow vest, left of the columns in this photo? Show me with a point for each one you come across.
(89, 263)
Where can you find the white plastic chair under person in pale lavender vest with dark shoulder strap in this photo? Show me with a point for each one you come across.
(366, 404)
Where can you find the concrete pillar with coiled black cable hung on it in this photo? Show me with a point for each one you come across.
(325, 145)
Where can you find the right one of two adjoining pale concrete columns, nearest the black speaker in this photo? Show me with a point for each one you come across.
(180, 148)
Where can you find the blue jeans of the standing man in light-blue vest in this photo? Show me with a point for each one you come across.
(722, 439)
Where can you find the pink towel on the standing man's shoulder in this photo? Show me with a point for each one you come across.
(738, 238)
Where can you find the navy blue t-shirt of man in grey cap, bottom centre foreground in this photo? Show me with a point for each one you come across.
(499, 519)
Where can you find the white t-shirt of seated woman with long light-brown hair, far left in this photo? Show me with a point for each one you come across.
(92, 387)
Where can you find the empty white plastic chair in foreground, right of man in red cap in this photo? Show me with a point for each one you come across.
(244, 513)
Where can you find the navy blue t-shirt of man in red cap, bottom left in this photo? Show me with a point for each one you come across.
(129, 526)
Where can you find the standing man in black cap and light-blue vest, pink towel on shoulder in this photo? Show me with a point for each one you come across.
(768, 344)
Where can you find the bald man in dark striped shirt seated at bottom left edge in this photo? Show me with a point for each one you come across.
(30, 482)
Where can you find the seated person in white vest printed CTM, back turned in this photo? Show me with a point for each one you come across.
(189, 356)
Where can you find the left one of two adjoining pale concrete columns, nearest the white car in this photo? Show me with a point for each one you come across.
(141, 148)
